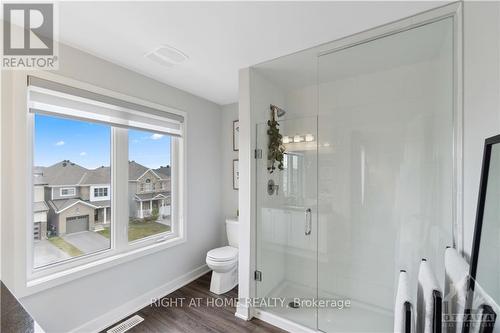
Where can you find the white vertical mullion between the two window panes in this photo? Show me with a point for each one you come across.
(119, 189)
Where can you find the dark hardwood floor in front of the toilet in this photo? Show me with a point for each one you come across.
(200, 311)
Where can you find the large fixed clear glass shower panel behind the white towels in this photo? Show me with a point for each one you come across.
(386, 169)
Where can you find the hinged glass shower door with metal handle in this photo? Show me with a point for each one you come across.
(286, 215)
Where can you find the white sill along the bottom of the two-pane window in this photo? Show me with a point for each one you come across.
(39, 284)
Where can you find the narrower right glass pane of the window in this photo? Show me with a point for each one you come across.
(149, 184)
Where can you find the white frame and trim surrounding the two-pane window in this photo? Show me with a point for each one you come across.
(121, 251)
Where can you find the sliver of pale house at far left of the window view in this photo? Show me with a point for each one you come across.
(40, 208)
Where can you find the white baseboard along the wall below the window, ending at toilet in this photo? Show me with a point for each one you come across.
(119, 313)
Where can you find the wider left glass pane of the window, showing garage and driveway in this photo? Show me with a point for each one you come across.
(71, 158)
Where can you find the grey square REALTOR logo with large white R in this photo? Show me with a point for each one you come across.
(28, 36)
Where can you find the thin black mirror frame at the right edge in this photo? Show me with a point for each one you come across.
(483, 184)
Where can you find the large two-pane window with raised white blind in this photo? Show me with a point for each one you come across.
(86, 148)
